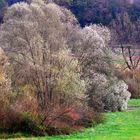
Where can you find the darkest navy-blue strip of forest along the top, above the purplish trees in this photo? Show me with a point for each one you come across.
(96, 11)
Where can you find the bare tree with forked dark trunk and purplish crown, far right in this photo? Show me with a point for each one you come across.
(127, 39)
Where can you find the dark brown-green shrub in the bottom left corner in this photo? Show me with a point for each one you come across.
(14, 122)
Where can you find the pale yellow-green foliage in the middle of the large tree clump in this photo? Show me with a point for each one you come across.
(68, 79)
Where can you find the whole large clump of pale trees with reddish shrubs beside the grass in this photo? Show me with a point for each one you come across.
(60, 73)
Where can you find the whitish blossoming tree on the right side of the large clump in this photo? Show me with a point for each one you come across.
(90, 44)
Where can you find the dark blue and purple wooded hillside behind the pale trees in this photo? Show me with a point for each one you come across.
(120, 15)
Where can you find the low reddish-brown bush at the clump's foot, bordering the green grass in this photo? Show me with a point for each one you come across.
(72, 119)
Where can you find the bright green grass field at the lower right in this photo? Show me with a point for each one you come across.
(118, 126)
